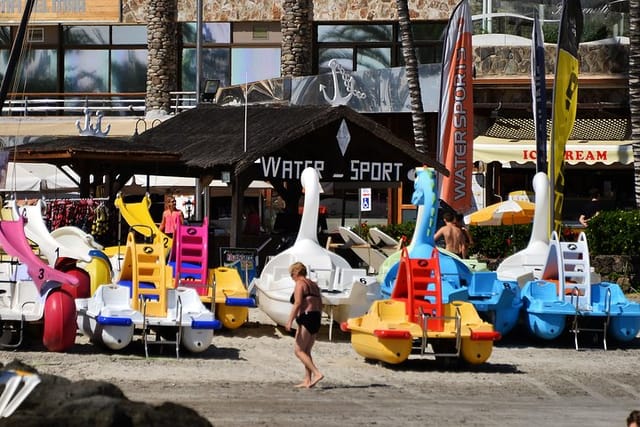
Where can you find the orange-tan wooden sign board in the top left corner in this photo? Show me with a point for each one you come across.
(62, 10)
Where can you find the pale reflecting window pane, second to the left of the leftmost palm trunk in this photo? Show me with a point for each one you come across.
(86, 70)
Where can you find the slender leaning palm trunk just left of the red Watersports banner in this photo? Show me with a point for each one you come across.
(413, 78)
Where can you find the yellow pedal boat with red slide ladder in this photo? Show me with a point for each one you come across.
(416, 316)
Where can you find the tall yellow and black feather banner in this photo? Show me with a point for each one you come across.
(565, 102)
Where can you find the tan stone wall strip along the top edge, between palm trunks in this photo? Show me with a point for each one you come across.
(271, 10)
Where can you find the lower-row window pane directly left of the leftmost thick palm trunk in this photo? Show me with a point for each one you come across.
(129, 70)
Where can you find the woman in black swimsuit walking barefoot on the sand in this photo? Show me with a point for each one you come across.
(307, 311)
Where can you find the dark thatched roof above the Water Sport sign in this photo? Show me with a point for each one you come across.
(211, 137)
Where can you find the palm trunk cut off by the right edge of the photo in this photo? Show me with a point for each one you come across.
(634, 90)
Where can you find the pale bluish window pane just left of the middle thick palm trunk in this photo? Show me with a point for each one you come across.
(253, 64)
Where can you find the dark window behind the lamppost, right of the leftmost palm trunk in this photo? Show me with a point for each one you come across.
(215, 65)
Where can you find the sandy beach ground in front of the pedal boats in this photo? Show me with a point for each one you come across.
(247, 377)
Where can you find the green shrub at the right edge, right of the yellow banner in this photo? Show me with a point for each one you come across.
(614, 233)
